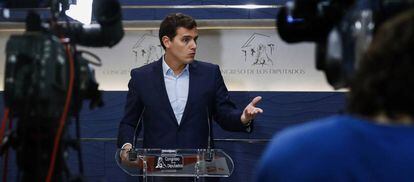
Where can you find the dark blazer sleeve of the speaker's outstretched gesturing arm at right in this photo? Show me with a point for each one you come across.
(226, 114)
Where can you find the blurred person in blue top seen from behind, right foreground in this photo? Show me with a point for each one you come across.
(374, 141)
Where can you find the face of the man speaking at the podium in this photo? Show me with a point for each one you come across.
(183, 46)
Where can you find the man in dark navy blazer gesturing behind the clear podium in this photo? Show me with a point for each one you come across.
(176, 95)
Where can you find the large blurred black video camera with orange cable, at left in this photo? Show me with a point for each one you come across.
(43, 70)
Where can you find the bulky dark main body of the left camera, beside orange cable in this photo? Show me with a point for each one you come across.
(37, 74)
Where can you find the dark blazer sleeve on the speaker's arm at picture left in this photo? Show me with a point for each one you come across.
(133, 109)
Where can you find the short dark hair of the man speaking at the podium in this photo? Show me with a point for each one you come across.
(172, 22)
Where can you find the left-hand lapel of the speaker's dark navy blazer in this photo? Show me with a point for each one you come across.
(159, 85)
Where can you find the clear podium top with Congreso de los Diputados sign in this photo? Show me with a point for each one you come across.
(177, 163)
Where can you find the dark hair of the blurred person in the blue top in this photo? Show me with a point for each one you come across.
(384, 82)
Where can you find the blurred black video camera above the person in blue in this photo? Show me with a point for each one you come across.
(341, 29)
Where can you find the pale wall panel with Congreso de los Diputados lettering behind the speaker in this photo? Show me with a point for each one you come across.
(250, 60)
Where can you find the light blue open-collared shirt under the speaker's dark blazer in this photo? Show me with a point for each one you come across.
(177, 89)
